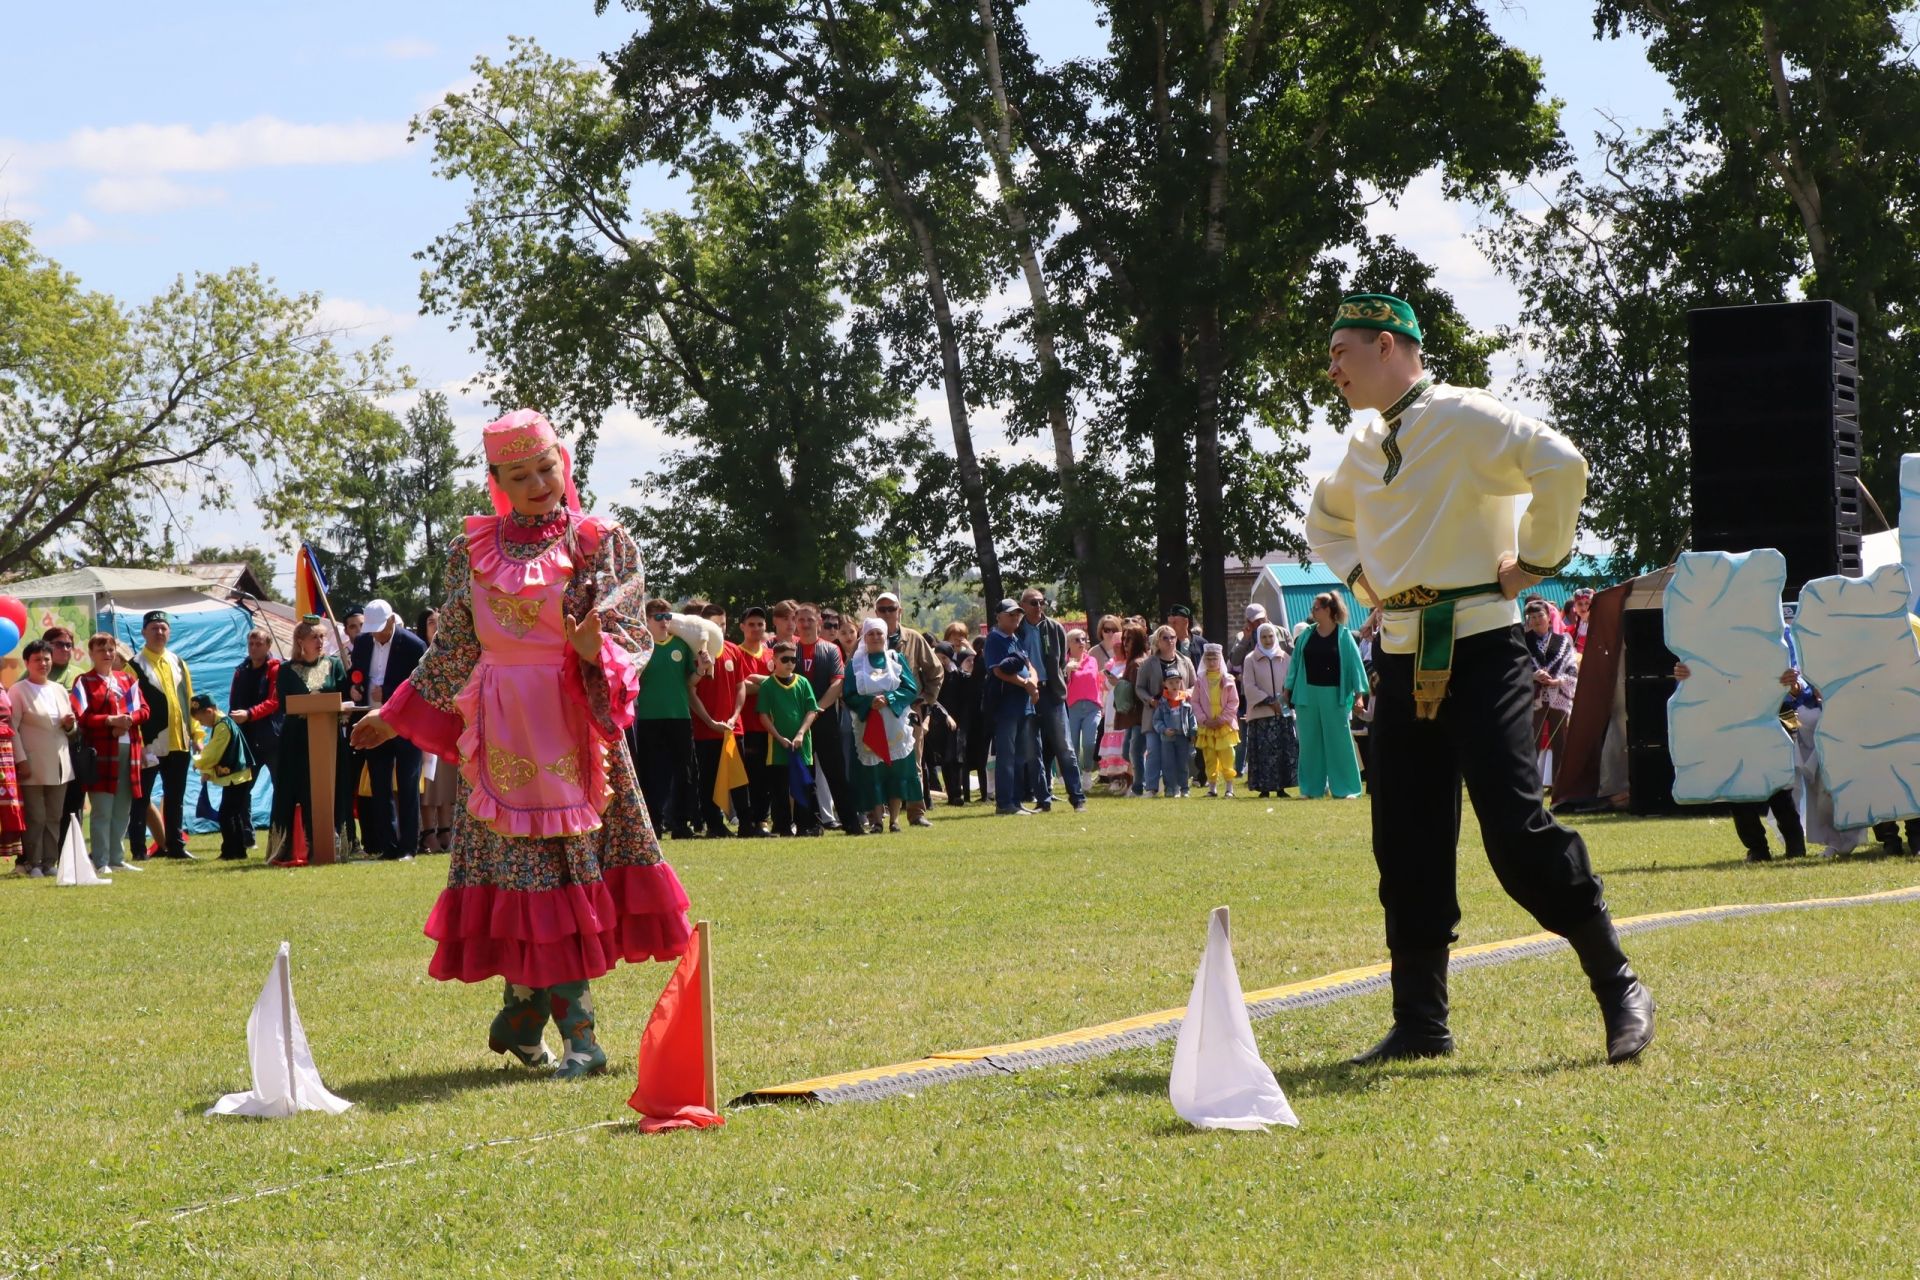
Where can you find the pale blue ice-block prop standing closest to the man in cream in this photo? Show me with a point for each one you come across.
(1723, 723)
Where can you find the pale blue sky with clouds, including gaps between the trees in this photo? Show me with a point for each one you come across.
(143, 147)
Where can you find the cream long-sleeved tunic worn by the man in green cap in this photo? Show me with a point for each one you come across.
(1476, 483)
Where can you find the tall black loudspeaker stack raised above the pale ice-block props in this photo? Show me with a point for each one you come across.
(1777, 435)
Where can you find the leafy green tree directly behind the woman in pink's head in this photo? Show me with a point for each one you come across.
(746, 329)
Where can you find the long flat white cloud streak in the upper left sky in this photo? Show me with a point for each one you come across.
(181, 149)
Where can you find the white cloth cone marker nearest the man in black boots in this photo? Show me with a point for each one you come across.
(1218, 1078)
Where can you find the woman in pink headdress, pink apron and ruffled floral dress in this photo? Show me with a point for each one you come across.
(556, 872)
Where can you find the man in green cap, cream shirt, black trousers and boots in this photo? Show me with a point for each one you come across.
(1443, 511)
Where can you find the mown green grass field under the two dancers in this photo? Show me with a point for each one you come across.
(1773, 1129)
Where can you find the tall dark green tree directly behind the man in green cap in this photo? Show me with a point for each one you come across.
(1218, 164)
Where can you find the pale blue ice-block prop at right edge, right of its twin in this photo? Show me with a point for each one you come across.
(1858, 648)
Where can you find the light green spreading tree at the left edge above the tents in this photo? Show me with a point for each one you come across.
(112, 417)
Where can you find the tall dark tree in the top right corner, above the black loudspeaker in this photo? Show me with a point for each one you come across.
(1821, 99)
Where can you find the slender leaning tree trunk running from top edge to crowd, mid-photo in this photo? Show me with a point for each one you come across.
(1053, 385)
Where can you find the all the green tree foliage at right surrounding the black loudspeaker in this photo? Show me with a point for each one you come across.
(1792, 172)
